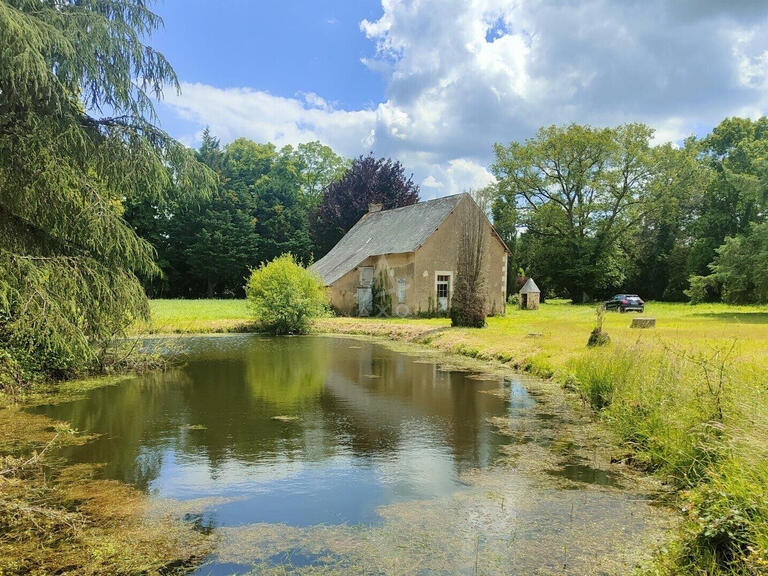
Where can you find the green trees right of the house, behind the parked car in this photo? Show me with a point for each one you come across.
(592, 211)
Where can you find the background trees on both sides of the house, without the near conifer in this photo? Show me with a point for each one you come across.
(586, 211)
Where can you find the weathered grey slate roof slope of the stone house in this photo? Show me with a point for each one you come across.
(393, 231)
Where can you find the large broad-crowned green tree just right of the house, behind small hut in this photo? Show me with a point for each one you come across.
(580, 192)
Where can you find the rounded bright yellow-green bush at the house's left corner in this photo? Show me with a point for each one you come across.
(284, 297)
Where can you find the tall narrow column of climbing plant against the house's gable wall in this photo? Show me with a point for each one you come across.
(468, 300)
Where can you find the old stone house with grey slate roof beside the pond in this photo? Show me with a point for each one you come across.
(403, 261)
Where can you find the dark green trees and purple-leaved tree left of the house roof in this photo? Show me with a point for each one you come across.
(268, 202)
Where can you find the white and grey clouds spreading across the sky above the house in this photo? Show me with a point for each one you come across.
(463, 75)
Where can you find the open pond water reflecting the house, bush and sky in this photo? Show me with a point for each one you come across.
(300, 431)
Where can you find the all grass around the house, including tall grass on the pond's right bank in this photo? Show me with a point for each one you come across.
(687, 401)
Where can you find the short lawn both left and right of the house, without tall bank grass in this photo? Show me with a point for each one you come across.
(552, 335)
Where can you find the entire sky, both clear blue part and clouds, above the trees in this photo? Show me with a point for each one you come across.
(435, 83)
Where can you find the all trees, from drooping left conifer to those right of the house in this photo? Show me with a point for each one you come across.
(99, 206)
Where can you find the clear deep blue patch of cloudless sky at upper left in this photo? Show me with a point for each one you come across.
(283, 47)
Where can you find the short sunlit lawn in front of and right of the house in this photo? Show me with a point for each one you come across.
(557, 333)
